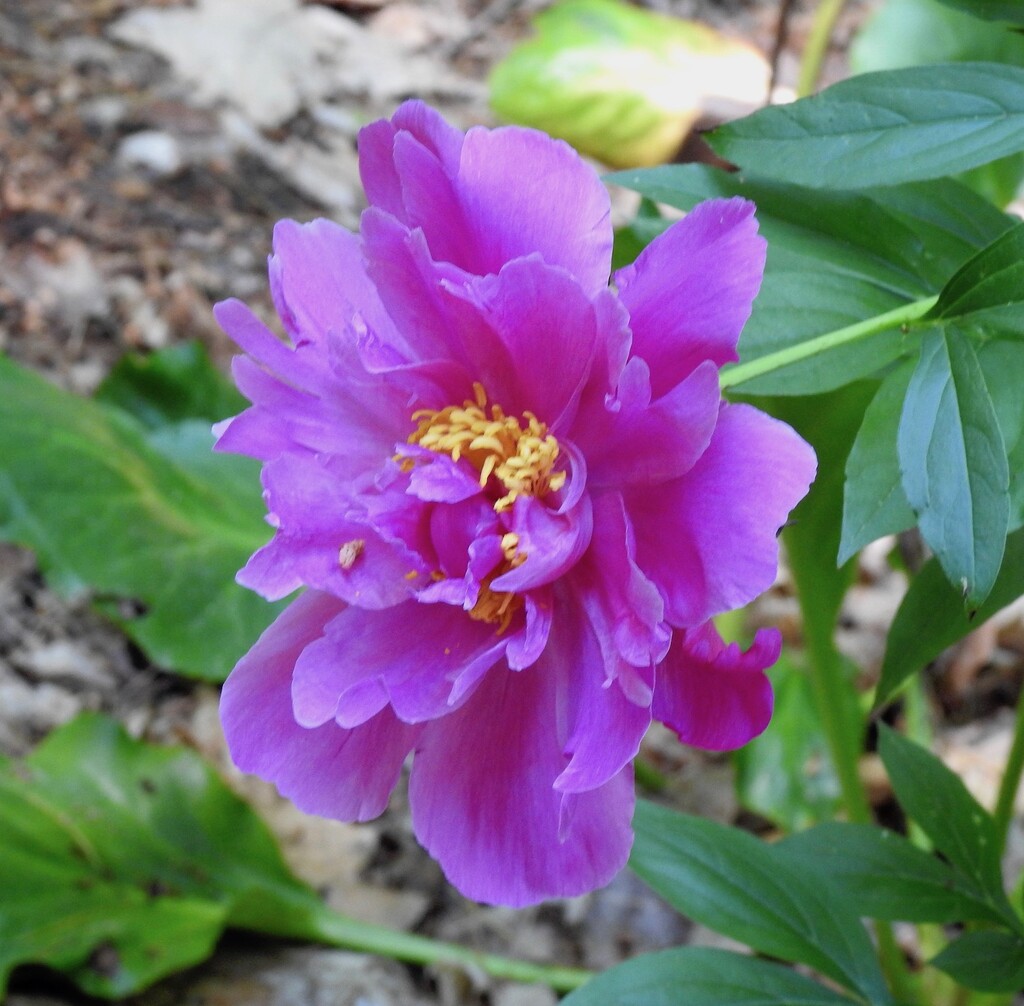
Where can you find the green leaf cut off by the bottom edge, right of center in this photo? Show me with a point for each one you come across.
(702, 977)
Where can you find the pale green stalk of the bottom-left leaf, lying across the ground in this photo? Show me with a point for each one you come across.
(339, 931)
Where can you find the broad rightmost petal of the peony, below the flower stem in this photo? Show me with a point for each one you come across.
(709, 540)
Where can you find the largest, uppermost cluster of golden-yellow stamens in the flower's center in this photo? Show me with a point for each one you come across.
(520, 453)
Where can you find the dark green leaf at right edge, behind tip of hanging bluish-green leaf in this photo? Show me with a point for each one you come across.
(932, 618)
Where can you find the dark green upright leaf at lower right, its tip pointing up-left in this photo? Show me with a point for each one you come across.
(936, 799)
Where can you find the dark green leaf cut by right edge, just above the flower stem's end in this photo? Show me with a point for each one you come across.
(989, 291)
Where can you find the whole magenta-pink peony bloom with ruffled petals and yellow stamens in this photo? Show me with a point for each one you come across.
(516, 500)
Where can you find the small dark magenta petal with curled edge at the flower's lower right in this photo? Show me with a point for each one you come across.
(713, 696)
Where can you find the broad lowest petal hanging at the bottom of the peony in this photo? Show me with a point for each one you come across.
(485, 807)
